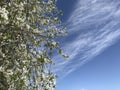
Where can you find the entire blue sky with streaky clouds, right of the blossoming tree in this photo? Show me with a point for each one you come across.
(93, 44)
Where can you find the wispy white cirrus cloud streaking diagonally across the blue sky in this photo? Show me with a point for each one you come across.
(94, 25)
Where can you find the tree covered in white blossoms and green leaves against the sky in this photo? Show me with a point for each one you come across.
(28, 29)
